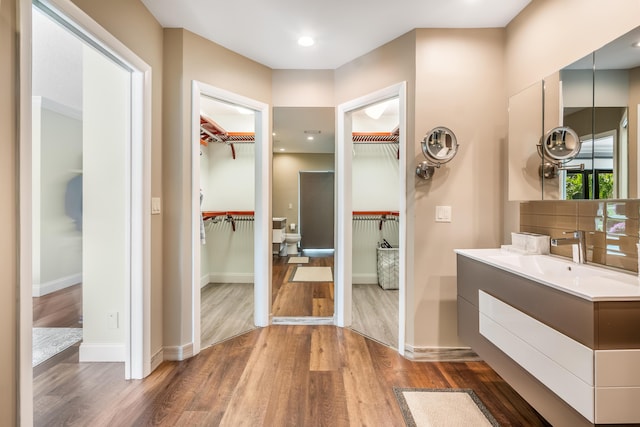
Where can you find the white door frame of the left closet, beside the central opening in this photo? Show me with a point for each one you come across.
(262, 210)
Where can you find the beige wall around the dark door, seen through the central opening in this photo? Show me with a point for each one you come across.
(285, 180)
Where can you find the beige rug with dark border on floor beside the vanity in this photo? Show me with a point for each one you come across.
(442, 407)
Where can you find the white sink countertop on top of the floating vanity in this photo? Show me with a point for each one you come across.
(586, 281)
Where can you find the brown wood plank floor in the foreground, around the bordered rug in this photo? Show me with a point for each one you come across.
(275, 376)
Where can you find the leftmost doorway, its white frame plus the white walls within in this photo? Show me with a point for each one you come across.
(99, 222)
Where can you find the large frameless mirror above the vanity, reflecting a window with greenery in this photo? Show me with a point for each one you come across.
(597, 97)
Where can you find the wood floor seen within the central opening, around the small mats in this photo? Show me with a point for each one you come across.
(301, 299)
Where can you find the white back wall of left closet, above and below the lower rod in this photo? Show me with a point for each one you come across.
(227, 185)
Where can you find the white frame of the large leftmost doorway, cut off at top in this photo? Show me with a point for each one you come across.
(137, 300)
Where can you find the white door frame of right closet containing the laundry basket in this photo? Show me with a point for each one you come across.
(344, 232)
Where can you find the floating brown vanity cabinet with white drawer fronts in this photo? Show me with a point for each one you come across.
(577, 361)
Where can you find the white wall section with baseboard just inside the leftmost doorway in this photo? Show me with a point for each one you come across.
(106, 94)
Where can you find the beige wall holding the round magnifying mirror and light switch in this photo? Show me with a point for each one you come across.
(460, 85)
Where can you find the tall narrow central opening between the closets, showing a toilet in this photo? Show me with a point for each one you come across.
(303, 215)
